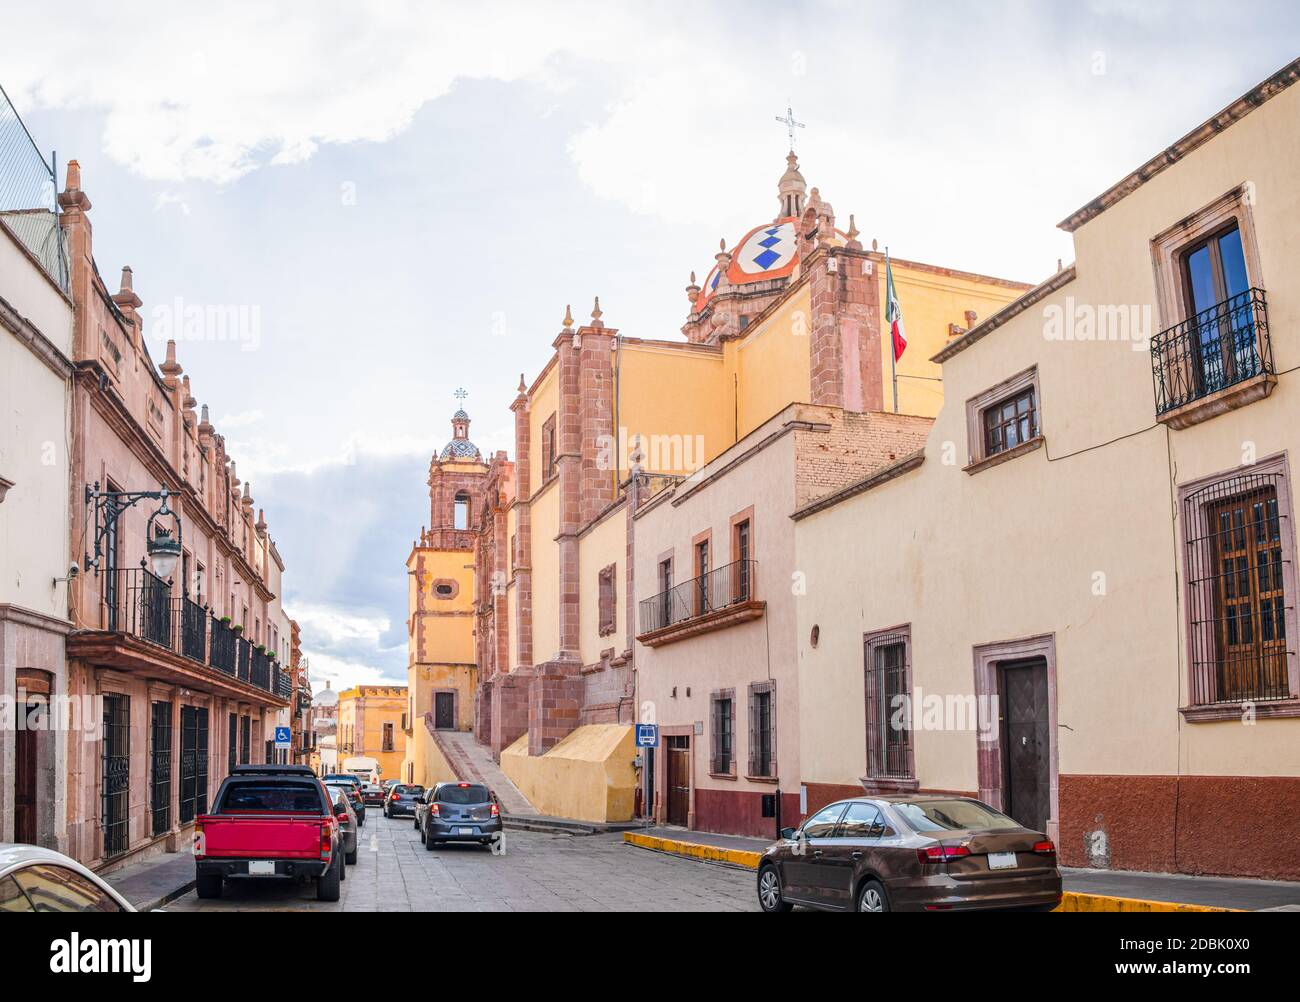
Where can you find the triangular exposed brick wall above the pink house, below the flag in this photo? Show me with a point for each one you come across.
(855, 448)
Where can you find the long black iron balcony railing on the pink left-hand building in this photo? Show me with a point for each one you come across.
(140, 604)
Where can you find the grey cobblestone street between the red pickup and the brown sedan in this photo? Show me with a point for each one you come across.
(539, 873)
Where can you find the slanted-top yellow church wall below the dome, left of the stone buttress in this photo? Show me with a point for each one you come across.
(773, 362)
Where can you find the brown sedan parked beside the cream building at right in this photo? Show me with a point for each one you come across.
(909, 854)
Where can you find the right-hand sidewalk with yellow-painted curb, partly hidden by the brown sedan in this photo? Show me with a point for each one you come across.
(1086, 890)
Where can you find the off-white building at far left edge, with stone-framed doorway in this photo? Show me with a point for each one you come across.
(36, 372)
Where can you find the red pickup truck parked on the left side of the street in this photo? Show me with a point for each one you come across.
(270, 822)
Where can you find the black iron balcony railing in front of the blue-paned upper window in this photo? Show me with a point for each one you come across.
(1219, 348)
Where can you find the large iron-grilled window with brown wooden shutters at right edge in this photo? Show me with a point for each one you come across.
(1240, 556)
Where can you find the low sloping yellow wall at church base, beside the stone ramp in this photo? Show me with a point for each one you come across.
(587, 777)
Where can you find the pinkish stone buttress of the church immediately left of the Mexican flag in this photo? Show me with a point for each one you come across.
(844, 352)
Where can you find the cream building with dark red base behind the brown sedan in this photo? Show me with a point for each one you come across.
(1099, 533)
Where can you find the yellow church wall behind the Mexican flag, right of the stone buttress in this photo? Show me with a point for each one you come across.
(931, 301)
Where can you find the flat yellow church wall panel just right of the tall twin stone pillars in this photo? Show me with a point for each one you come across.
(678, 401)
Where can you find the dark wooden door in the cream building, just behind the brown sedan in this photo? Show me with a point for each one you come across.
(1026, 744)
